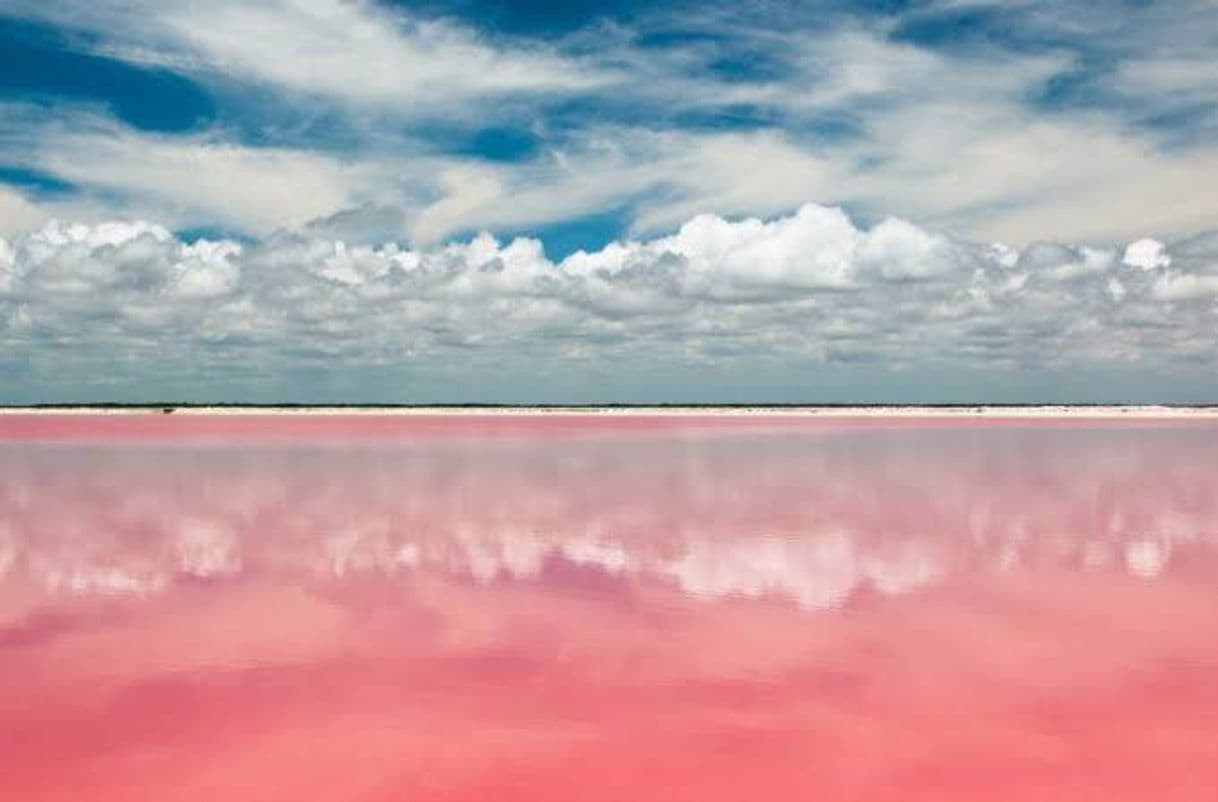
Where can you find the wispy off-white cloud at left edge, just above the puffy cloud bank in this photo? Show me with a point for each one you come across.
(191, 181)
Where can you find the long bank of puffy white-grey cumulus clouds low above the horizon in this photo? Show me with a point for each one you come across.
(812, 288)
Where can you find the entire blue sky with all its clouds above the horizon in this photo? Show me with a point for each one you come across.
(576, 202)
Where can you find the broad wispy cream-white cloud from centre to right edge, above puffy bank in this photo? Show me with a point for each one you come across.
(942, 141)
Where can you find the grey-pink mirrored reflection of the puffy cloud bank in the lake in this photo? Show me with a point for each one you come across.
(812, 517)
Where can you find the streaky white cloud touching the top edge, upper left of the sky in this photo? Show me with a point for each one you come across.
(355, 52)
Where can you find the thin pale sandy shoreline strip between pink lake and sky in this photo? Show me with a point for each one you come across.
(913, 411)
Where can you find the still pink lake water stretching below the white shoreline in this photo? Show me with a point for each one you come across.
(607, 609)
